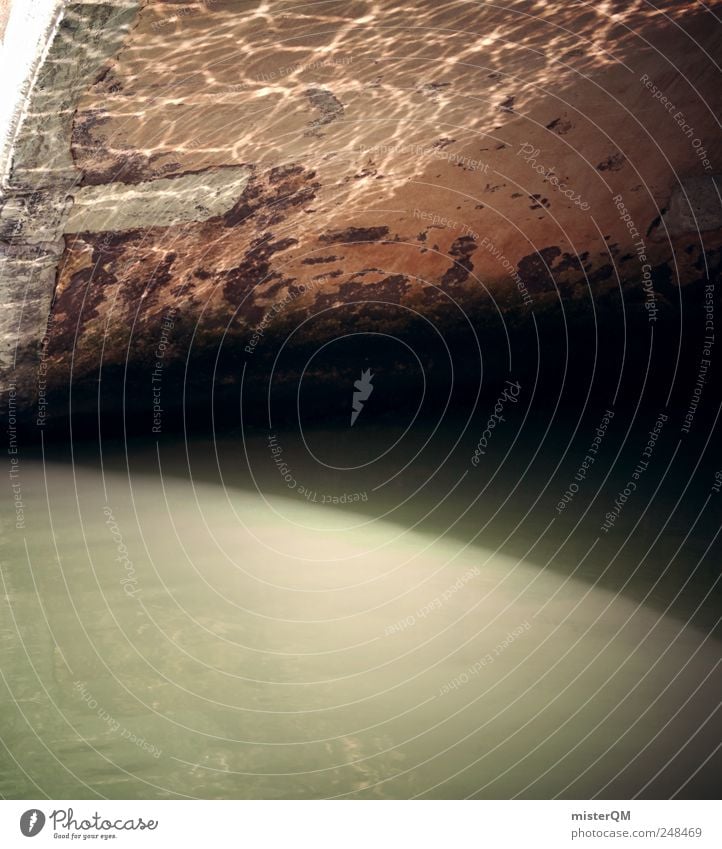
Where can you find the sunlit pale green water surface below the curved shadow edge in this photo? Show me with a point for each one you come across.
(164, 635)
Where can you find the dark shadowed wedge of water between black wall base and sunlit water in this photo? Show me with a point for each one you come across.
(661, 549)
